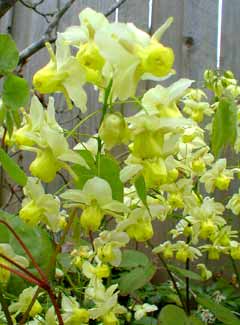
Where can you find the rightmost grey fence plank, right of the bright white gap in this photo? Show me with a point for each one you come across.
(230, 40)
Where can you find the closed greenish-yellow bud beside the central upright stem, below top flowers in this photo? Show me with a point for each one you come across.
(114, 130)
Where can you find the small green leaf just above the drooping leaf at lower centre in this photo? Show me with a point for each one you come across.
(132, 258)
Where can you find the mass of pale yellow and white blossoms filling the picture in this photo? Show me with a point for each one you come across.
(169, 170)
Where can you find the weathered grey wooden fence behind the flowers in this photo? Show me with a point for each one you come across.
(193, 35)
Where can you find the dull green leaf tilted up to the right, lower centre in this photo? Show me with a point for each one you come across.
(136, 278)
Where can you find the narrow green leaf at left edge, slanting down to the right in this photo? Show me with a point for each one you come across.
(12, 168)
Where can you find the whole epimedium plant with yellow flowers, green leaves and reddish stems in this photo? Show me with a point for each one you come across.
(169, 170)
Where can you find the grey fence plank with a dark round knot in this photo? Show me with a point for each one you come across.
(200, 37)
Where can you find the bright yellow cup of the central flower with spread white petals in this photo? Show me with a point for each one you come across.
(91, 218)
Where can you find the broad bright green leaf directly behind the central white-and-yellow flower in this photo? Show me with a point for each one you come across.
(108, 169)
